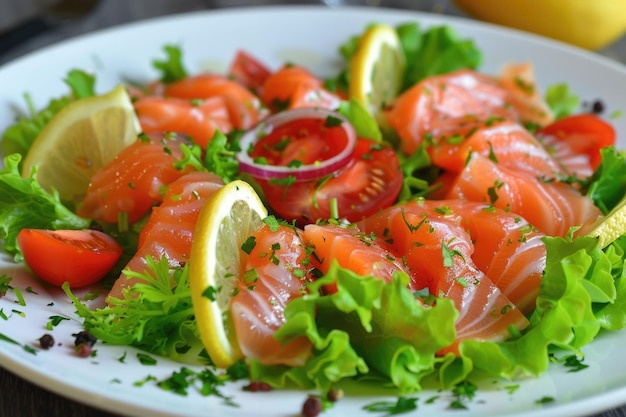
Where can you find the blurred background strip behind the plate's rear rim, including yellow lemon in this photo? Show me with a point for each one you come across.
(27, 25)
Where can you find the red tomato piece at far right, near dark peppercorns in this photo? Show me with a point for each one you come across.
(585, 133)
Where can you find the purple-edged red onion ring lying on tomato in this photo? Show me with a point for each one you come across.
(303, 172)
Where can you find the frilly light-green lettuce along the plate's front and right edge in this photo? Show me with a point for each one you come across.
(369, 327)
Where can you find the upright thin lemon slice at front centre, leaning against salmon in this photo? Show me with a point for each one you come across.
(216, 264)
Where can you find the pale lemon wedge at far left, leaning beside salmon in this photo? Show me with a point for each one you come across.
(79, 140)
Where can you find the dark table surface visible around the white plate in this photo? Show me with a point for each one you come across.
(19, 398)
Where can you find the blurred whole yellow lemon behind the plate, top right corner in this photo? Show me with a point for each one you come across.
(590, 24)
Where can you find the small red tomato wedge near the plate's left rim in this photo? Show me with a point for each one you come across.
(80, 257)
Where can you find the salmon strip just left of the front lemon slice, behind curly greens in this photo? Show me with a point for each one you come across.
(169, 230)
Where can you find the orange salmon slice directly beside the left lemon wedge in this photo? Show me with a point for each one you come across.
(132, 182)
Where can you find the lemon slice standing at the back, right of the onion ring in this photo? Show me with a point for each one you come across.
(377, 69)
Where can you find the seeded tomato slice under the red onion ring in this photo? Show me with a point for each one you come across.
(370, 181)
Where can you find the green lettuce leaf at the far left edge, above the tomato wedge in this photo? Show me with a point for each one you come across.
(25, 204)
